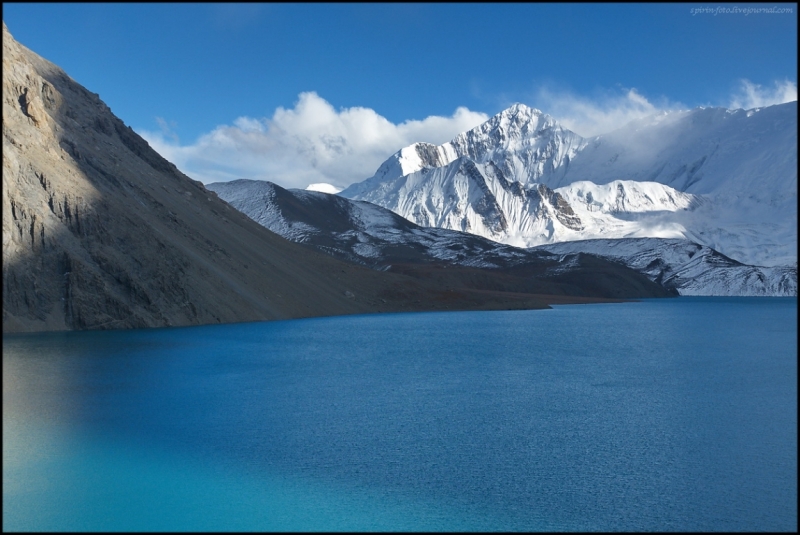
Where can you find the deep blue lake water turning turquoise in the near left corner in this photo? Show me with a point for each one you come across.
(676, 414)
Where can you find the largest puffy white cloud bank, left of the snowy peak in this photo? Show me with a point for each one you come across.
(310, 143)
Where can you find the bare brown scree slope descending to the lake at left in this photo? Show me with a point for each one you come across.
(100, 232)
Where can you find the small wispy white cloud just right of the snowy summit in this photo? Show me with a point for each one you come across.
(593, 116)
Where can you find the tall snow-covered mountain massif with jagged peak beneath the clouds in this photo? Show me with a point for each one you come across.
(521, 178)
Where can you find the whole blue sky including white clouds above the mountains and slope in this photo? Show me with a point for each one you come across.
(325, 92)
